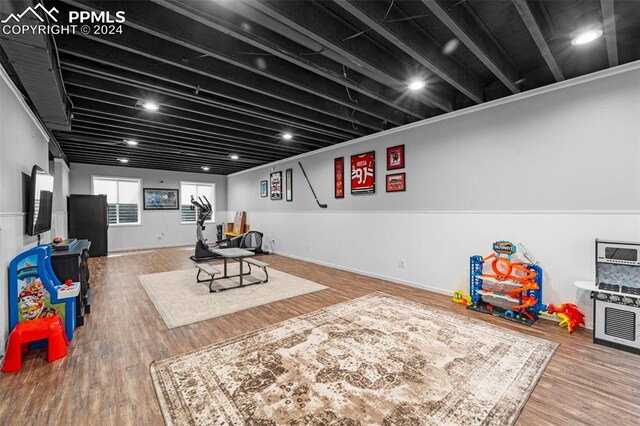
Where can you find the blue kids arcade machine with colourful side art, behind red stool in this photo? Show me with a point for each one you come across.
(35, 292)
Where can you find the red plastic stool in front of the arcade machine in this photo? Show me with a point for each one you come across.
(50, 328)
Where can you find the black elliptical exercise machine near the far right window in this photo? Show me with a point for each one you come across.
(251, 240)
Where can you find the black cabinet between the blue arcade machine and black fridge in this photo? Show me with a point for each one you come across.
(73, 265)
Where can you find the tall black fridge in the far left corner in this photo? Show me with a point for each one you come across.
(88, 220)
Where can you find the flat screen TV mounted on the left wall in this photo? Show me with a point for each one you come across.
(40, 202)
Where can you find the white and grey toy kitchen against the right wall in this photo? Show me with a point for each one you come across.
(616, 295)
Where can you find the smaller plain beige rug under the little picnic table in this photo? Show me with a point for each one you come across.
(180, 300)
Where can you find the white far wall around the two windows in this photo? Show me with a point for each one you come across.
(158, 228)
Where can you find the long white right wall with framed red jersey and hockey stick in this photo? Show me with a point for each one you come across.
(552, 168)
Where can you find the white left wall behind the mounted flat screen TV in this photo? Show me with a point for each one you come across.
(22, 145)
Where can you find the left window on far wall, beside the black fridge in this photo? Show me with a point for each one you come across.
(123, 199)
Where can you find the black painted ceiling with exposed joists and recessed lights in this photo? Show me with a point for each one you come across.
(232, 76)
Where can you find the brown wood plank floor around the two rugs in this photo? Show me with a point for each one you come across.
(105, 378)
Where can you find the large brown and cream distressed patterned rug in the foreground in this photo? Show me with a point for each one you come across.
(374, 360)
